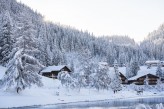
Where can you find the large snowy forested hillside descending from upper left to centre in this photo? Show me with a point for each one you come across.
(54, 41)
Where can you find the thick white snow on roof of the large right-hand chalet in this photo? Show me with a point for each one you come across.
(144, 71)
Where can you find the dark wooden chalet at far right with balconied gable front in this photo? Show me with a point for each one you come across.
(140, 80)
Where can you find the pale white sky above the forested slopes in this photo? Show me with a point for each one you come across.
(135, 18)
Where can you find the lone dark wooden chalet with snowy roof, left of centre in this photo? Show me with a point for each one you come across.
(52, 71)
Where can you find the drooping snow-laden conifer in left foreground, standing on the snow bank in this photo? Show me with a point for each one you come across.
(22, 72)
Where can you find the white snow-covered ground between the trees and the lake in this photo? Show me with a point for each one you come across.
(48, 95)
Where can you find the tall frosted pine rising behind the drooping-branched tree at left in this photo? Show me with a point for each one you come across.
(26, 38)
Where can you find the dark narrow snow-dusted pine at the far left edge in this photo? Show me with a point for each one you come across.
(5, 38)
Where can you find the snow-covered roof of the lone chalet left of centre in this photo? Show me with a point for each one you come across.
(53, 68)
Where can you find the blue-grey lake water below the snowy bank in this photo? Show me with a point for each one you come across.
(132, 103)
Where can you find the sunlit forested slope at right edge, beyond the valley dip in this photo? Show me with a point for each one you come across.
(153, 45)
